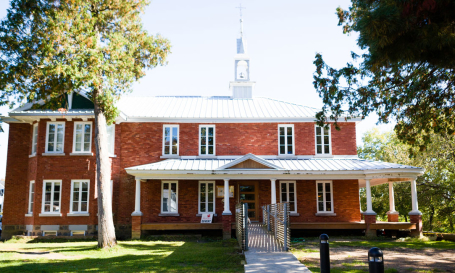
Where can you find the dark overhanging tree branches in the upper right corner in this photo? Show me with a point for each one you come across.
(406, 72)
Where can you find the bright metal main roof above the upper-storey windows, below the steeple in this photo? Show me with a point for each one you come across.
(218, 107)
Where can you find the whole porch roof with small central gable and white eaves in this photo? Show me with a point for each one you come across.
(309, 168)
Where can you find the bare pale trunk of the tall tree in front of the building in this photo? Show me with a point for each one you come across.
(106, 230)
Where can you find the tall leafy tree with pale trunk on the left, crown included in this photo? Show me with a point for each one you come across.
(51, 48)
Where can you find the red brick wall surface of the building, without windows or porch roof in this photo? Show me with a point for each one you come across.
(141, 143)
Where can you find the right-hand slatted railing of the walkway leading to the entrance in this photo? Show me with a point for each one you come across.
(276, 219)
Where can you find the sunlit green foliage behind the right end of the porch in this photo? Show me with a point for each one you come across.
(436, 187)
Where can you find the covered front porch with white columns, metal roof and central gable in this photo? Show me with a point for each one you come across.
(325, 192)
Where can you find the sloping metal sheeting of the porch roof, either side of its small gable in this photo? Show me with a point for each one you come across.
(325, 164)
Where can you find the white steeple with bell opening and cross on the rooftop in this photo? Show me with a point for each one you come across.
(241, 87)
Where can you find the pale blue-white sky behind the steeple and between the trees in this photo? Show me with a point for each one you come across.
(283, 38)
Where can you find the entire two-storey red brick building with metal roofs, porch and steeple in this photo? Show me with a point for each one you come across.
(175, 158)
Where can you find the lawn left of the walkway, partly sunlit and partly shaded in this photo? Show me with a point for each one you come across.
(128, 256)
